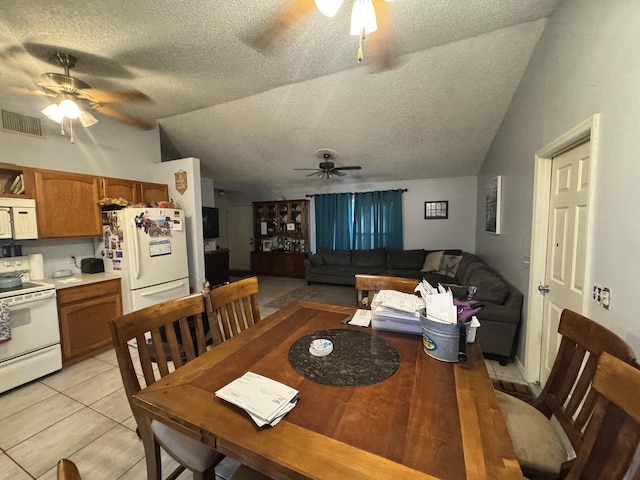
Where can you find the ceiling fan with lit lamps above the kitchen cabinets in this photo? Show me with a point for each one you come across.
(71, 96)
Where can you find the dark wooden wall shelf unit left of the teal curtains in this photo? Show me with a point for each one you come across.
(281, 238)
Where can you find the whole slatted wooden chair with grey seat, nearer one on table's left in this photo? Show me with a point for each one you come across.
(168, 335)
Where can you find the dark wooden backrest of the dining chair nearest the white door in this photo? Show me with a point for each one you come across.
(567, 394)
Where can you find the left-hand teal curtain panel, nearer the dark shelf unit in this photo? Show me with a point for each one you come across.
(334, 220)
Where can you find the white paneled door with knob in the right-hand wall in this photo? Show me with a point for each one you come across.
(566, 246)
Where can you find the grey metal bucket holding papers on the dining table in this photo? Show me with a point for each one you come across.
(442, 340)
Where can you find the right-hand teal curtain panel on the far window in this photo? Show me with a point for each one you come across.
(377, 220)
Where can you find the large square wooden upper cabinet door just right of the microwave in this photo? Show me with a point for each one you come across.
(67, 204)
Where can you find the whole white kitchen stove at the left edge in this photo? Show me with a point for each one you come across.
(34, 348)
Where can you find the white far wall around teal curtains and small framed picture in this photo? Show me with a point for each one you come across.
(456, 232)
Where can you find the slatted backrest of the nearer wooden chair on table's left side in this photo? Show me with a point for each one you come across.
(168, 334)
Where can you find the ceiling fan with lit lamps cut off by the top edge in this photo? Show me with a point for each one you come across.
(367, 16)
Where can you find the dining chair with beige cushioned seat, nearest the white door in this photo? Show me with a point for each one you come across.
(545, 451)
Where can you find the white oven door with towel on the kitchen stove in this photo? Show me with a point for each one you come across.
(34, 324)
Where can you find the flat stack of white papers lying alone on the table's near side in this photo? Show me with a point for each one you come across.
(264, 399)
